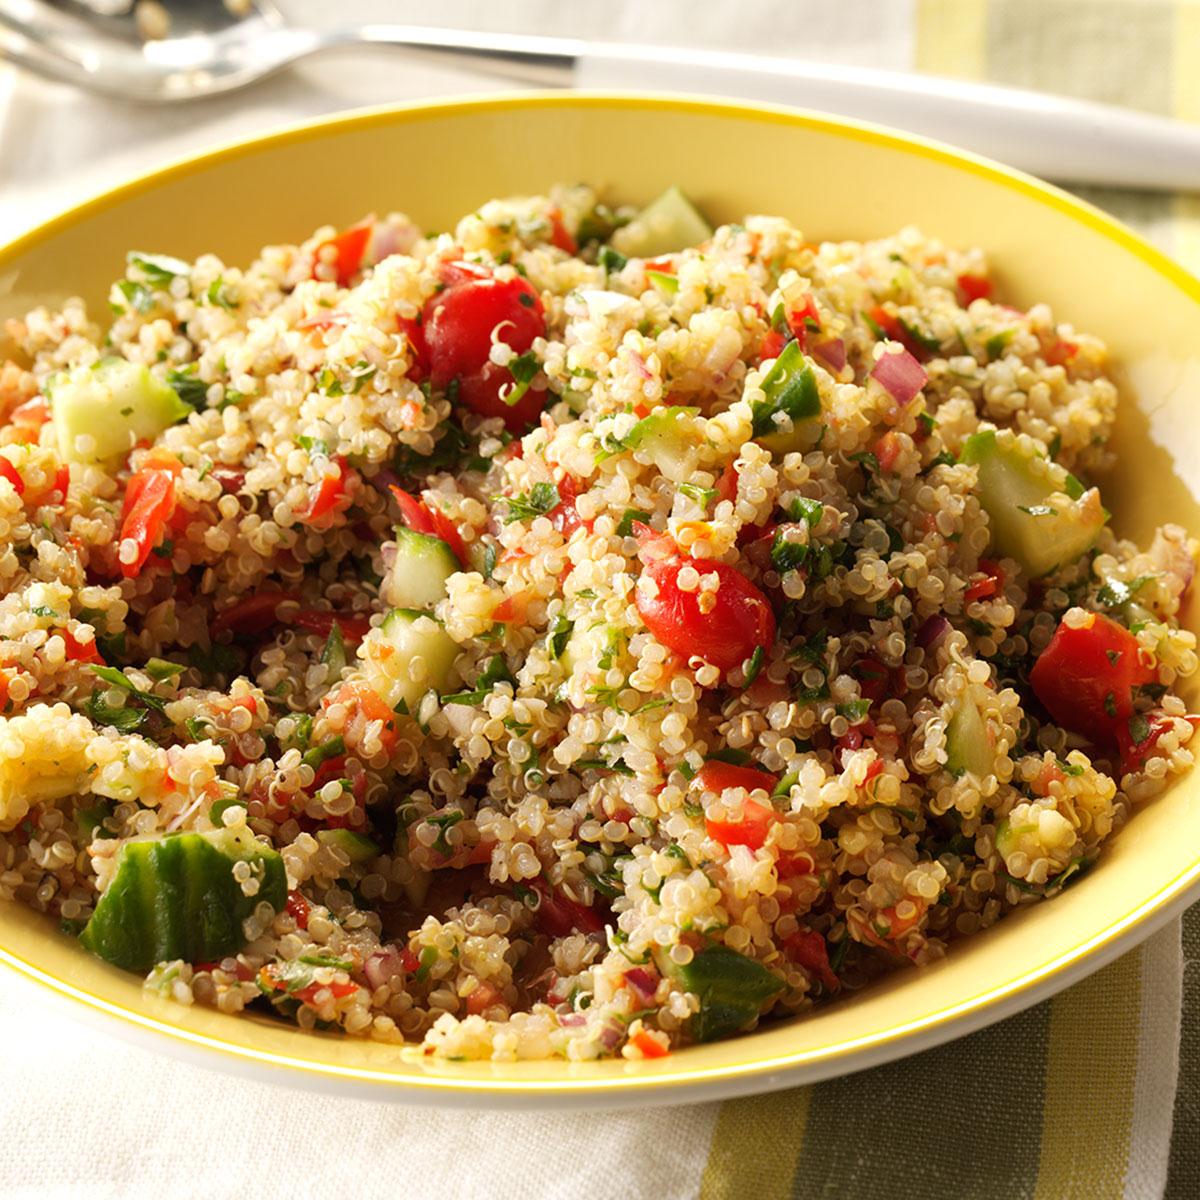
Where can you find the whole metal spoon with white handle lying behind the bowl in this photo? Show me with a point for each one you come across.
(209, 49)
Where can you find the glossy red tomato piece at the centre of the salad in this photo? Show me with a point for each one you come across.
(740, 622)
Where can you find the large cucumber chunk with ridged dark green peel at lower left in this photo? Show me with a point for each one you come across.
(177, 898)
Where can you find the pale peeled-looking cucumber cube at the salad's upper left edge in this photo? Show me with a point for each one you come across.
(115, 404)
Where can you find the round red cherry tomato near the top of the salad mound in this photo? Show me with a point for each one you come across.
(459, 327)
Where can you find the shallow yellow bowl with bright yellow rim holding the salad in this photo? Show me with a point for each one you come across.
(836, 181)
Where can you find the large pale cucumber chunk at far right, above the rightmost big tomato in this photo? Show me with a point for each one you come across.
(1031, 512)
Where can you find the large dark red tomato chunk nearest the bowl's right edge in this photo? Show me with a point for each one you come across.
(1085, 677)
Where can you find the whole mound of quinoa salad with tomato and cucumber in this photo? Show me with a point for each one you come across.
(579, 634)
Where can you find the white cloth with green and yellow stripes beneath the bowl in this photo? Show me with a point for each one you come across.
(1093, 1095)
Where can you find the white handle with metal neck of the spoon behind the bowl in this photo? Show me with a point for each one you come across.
(1066, 140)
